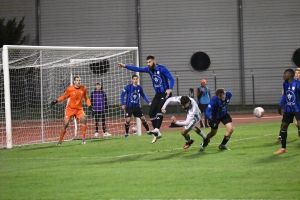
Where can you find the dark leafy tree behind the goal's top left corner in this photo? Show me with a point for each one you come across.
(11, 33)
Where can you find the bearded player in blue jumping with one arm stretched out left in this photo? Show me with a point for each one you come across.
(163, 83)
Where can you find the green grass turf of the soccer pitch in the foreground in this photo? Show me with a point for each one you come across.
(133, 168)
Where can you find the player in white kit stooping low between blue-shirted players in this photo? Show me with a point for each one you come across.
(193, 118)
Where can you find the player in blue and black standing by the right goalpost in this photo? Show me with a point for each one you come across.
(132, 107)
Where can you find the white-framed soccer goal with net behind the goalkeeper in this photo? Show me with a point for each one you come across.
(33, 76)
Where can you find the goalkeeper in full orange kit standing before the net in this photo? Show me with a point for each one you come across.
(74, 94)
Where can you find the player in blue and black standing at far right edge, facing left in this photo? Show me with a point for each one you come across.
(290, 99)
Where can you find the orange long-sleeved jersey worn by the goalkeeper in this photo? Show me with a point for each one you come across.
(74, 96)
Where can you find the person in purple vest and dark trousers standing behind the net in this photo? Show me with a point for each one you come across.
(99, 103)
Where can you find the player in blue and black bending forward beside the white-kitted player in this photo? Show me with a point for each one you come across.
(216, 112)
